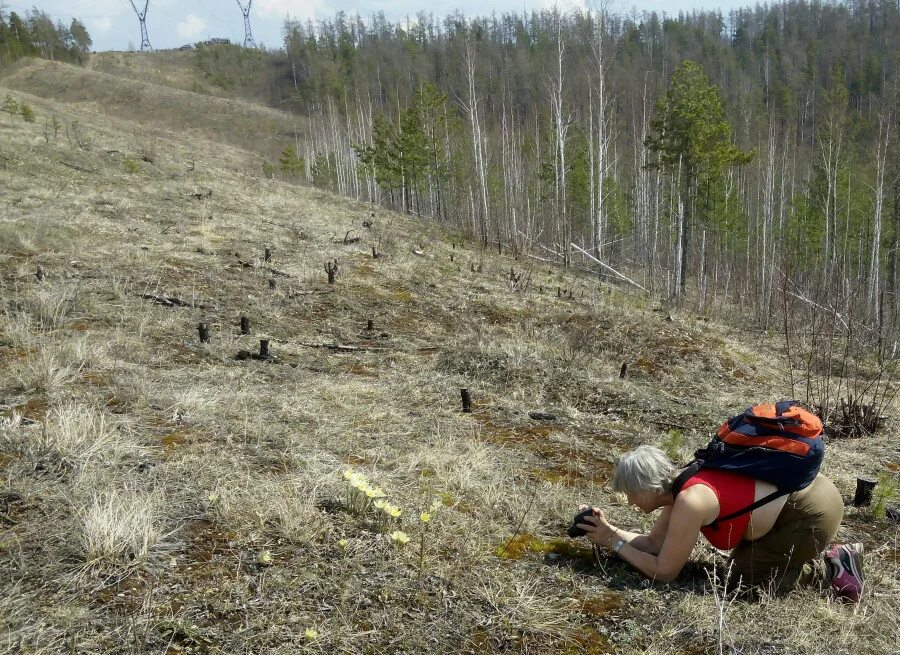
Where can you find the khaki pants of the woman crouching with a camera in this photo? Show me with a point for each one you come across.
(789, 555)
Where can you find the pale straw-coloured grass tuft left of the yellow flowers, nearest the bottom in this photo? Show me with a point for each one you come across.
(118, 530)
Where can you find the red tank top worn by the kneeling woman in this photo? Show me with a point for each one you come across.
(735, 492)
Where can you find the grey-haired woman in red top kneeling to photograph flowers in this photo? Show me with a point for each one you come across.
(777, 546)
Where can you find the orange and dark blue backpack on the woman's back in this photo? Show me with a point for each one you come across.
(779, 443)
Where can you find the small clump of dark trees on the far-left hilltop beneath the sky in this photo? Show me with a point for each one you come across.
(36, 35)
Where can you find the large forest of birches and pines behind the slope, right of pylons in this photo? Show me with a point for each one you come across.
(744, 155)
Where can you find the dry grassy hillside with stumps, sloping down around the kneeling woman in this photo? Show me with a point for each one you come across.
(161, 495)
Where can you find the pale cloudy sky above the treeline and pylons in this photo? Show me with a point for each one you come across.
(171, 23)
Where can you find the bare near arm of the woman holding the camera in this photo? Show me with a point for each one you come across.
(682, 527)
